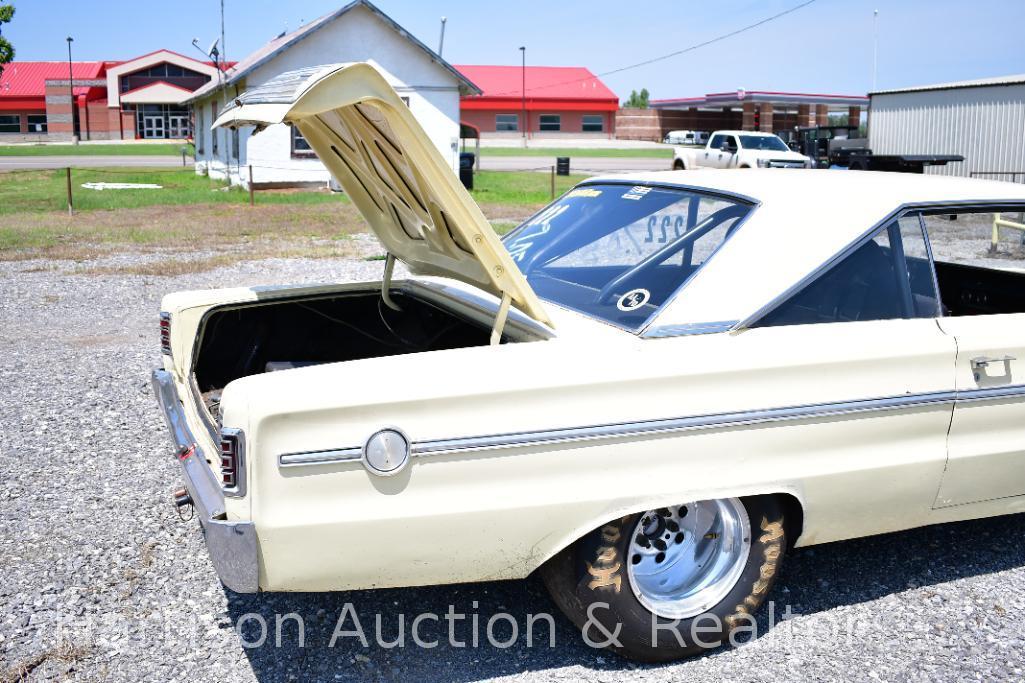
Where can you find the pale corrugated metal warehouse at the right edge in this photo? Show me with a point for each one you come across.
(983, 120)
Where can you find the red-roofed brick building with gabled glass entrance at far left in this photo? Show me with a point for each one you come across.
(139, 99)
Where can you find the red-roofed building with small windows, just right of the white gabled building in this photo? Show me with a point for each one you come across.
(539, 101)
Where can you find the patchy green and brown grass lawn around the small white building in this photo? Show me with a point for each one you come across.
(193, 211)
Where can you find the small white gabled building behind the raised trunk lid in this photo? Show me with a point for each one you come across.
(358, 32)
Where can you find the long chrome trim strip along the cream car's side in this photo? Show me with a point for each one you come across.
(641, 428)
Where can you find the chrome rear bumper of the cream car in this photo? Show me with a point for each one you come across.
(232, 545)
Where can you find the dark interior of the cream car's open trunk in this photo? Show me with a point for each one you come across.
(248, 340)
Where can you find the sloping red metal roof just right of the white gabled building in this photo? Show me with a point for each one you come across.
(543, 83)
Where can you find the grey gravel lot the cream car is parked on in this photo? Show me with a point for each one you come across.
(101, 581)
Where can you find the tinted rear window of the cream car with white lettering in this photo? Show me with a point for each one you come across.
(619, 253)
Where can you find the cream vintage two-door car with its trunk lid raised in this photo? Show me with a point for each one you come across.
(647, 392)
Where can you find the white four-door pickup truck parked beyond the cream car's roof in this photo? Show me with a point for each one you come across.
(741, 149)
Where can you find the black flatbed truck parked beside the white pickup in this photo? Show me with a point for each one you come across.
(840, 147)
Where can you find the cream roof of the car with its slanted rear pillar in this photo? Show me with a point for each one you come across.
(802, 221)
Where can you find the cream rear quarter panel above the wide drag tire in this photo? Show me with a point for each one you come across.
(501, 513)
